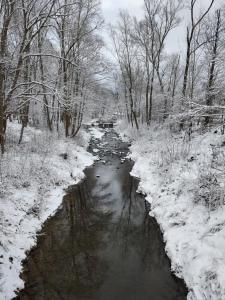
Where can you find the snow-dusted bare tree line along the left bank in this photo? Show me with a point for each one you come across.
(50, 55)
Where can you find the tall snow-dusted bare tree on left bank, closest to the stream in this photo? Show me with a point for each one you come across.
(75, 24)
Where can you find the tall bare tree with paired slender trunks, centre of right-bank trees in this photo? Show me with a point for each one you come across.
(151, 33)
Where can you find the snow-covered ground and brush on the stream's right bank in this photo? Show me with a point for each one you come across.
(184, 182)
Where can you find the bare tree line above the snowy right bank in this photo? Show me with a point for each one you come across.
(186, 86)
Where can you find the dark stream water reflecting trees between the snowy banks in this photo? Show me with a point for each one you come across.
(102, 244)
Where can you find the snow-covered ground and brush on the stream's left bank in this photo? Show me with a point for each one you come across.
(33, 177)
